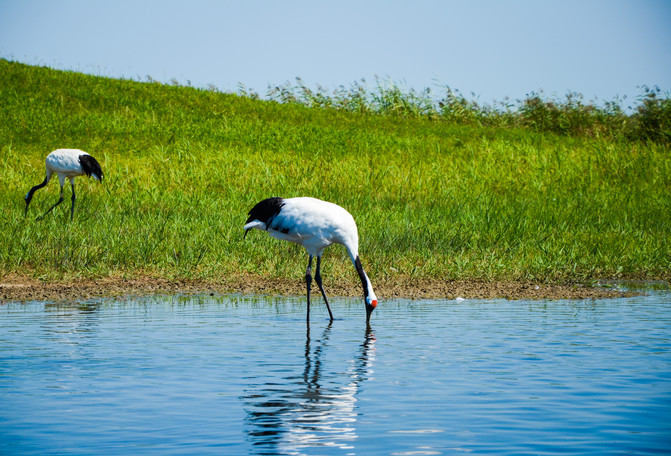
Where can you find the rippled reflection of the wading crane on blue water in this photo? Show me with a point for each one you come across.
(312, 408)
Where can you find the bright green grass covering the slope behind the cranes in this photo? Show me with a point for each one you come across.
(433, 198)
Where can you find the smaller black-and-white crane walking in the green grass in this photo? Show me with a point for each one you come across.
(67, 163)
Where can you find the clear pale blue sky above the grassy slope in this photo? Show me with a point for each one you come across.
(600, 48)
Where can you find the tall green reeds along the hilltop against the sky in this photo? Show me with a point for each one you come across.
(649, 118)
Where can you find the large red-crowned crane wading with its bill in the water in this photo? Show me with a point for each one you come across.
(315, 225)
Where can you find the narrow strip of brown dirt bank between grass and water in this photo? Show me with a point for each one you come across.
(22, 289)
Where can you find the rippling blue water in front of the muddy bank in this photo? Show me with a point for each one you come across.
(241, 375)
